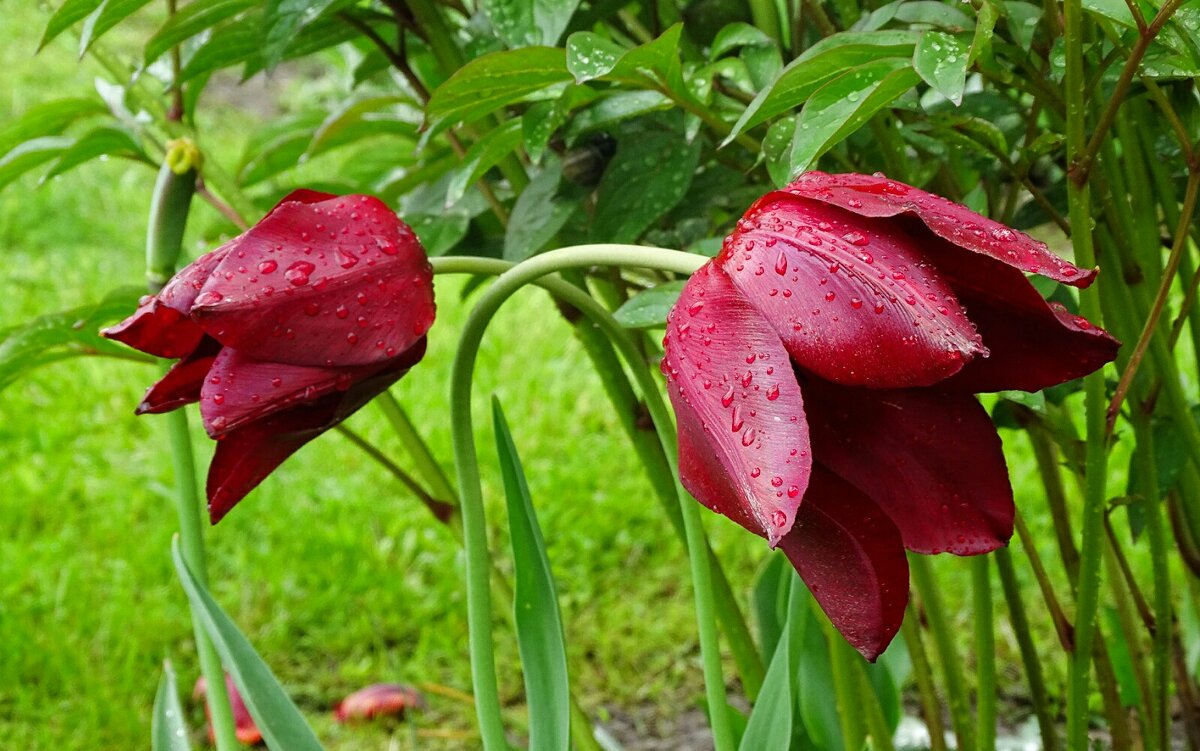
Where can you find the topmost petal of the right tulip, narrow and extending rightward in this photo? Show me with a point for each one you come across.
(875, 196)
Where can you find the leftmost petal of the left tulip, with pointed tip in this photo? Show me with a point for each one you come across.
(161, 327)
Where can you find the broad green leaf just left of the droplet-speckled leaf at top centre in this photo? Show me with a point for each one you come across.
(495, 81)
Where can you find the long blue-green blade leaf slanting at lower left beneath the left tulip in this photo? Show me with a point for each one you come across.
(274, 713)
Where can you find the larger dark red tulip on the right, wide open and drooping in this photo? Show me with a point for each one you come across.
(823, 370)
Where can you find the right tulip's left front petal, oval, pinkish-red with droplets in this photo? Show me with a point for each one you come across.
(743, 438)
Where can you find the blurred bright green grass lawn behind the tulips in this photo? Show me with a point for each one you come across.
(333, 570)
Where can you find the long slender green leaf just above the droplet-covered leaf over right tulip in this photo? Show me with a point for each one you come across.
(819, 65)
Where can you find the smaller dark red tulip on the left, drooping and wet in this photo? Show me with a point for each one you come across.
(286, 331)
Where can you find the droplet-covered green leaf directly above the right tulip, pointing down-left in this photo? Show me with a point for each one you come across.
(843, 106)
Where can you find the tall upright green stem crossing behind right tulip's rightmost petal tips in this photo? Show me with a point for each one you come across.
(1079, 203)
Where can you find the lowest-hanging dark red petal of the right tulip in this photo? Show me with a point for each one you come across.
(850, 555)
